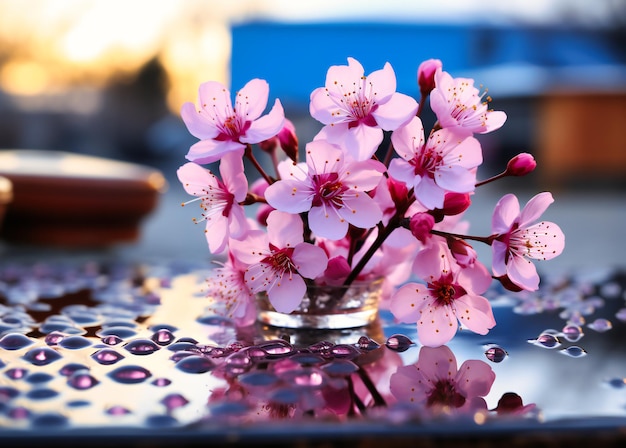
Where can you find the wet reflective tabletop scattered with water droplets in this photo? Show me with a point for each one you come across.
(98, 352)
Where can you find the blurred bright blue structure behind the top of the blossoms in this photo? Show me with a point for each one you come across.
(294, 58)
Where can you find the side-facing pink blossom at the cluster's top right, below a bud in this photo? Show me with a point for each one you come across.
(460, 106)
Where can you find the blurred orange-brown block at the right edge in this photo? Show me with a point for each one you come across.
(581, 137)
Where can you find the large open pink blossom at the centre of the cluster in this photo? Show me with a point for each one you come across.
(332, 189)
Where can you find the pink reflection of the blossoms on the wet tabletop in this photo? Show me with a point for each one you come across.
(327, 381)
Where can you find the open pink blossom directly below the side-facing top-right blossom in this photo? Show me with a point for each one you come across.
(444, 163)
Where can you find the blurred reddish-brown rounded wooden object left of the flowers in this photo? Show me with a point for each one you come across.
(72, 200)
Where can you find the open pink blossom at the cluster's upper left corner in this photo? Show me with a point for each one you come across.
(223, 128)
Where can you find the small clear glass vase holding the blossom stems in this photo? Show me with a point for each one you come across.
(327, 307)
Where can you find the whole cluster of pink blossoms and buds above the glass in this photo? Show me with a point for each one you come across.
(349, 211)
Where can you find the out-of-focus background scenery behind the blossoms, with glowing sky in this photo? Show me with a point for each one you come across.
(108, 79)
